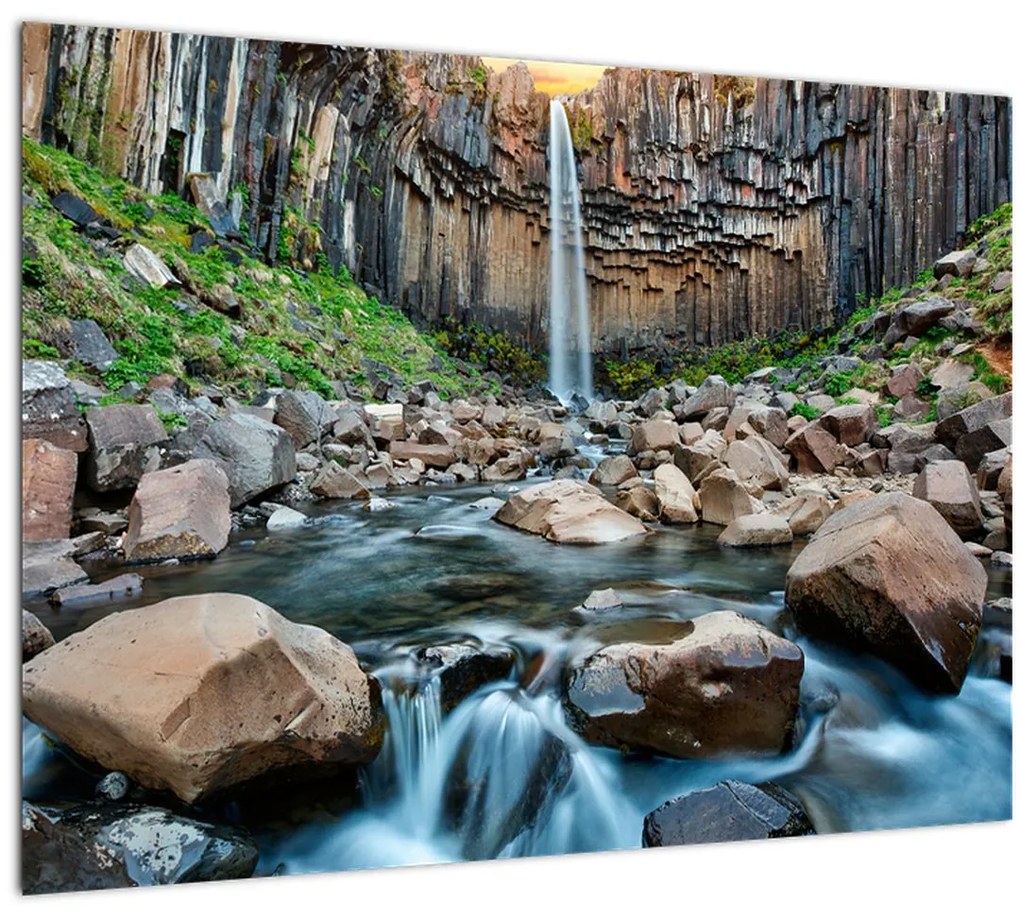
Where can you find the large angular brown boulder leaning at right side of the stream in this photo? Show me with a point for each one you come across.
(889, 576)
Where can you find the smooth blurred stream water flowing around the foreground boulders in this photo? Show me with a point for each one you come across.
(502, 775)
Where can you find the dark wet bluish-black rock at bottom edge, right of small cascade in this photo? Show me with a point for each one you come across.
(732, 811)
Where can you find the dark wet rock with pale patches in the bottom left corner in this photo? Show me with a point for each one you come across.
(69, 848)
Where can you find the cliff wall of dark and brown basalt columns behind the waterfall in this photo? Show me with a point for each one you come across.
(715, 208)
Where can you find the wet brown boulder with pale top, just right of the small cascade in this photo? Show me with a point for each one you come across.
(726, 685)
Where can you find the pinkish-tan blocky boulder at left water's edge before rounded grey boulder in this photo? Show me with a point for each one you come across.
(180, 513)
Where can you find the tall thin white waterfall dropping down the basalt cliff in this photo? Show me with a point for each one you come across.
(570, 335)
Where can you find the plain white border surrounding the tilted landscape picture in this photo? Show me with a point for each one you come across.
(942, 872)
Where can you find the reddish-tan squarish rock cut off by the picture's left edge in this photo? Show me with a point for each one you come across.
(48, 478)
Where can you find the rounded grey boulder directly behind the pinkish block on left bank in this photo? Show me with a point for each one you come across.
(257, 455)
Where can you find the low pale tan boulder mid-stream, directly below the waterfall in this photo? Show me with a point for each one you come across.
(568, 512)
